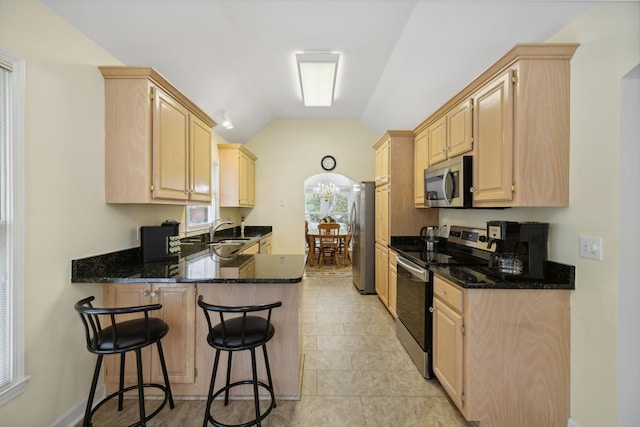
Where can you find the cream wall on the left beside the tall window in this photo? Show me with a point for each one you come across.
(66, 214)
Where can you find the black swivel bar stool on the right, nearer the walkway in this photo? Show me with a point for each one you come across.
(237, 333)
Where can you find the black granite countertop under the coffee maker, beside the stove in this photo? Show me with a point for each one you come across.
(557, 275)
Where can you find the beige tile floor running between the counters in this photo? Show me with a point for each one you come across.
(356, 373)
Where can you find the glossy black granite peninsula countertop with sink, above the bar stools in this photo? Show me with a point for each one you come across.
(199, 263)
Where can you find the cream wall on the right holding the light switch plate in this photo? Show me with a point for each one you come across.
(609, 35)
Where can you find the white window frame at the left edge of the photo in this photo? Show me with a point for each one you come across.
(15, 222)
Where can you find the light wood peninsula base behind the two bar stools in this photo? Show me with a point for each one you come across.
(189, 324)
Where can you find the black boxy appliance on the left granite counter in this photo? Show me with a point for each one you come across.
(160, 242)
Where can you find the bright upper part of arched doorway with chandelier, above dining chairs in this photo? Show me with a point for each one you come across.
(328, 194)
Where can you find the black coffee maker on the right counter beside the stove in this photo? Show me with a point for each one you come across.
(521, 248)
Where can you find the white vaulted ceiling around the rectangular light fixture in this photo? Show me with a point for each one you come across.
(400, 59)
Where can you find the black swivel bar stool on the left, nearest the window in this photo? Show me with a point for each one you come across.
(121, 337)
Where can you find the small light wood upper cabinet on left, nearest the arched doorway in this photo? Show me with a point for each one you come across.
(237, 176)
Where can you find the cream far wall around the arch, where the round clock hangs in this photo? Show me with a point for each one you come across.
(289, 151)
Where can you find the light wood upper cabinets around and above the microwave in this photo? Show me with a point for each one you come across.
(514, 120)
